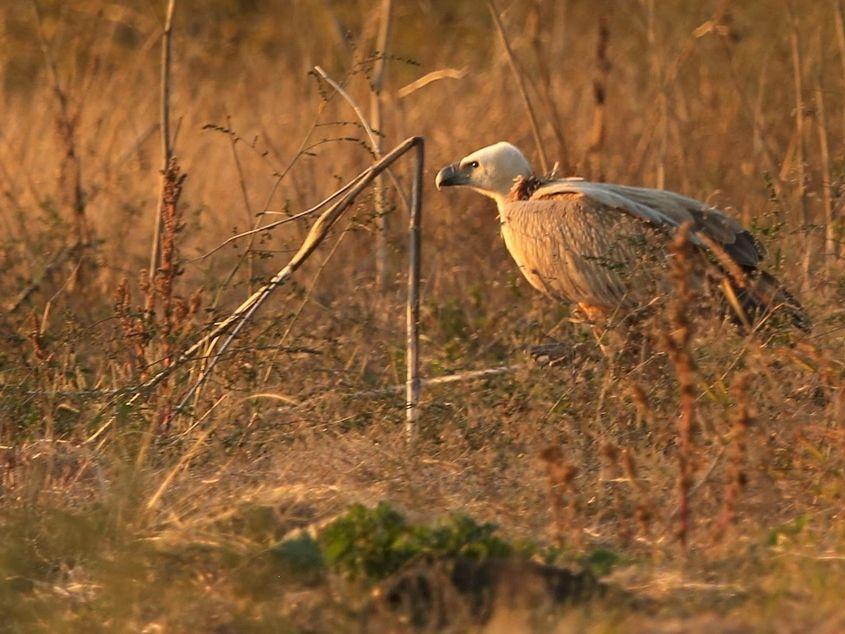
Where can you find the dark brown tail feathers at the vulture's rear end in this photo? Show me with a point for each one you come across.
(765, 301)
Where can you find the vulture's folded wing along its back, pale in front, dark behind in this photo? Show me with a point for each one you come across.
(666, 209)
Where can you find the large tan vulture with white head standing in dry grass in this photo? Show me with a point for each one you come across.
(605, 248)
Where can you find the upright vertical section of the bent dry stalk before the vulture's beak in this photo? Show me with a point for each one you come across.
(412, 388)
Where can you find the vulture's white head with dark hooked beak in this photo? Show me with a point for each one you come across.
(490, 171)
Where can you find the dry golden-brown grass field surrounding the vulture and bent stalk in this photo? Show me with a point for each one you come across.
(284, 496)
